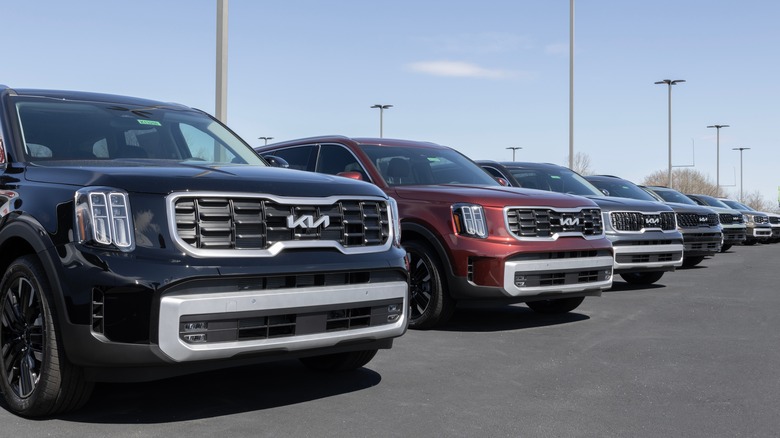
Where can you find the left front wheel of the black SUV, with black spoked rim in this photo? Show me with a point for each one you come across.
(36, 379)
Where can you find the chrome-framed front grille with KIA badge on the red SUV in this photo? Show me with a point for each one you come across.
(547, 222)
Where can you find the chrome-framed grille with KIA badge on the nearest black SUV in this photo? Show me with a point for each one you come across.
(229, 224)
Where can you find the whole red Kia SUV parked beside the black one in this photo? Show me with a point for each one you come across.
(468, 237)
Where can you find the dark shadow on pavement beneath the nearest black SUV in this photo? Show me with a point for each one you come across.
(217, 393)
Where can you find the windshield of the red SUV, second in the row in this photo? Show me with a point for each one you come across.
(404, 166)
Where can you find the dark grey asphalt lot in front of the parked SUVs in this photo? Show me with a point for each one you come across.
(693, 356)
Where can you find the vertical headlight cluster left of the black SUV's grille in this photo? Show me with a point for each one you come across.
(103, 218)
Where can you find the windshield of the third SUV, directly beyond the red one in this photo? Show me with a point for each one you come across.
(558, 179)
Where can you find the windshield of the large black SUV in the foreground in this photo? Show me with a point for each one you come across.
(56, 130)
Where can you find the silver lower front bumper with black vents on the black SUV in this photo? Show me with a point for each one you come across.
(223, 325)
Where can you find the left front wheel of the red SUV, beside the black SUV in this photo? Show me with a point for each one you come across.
(430, 305)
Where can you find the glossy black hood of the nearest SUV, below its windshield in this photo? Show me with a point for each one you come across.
(167, 177)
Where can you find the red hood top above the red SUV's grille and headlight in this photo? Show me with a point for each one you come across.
(492, 196)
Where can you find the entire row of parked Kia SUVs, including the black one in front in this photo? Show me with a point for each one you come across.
(142, 240)
